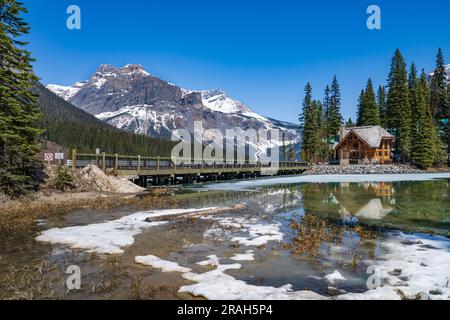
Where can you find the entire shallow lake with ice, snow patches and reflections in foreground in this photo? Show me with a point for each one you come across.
(293, 238)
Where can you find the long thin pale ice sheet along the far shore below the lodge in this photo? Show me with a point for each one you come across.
(250, 184)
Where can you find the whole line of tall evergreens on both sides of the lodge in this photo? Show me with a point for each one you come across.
(415, 110)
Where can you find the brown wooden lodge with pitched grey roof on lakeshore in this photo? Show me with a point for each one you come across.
(364, 145)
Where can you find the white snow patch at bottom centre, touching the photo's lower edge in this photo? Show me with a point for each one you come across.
(217, 285)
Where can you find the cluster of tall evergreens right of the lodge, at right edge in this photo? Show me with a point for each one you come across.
(417, 111)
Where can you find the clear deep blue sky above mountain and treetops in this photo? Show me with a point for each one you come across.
(260, 52)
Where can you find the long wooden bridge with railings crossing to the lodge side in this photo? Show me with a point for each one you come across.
(161, 170)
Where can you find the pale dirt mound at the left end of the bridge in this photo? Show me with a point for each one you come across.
(92, 178)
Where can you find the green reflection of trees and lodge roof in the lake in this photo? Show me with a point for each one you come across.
(415, 205)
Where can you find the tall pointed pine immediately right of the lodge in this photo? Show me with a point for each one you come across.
(398, 107)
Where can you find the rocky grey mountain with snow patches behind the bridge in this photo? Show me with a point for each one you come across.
(133, 100)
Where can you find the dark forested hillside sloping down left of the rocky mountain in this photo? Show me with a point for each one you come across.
(74, 128)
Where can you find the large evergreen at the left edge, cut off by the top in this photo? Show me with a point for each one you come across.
(20, 170)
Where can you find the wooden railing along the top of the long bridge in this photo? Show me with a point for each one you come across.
(139, 163)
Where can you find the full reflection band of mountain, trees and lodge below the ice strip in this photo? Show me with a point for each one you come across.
(414, 205)
